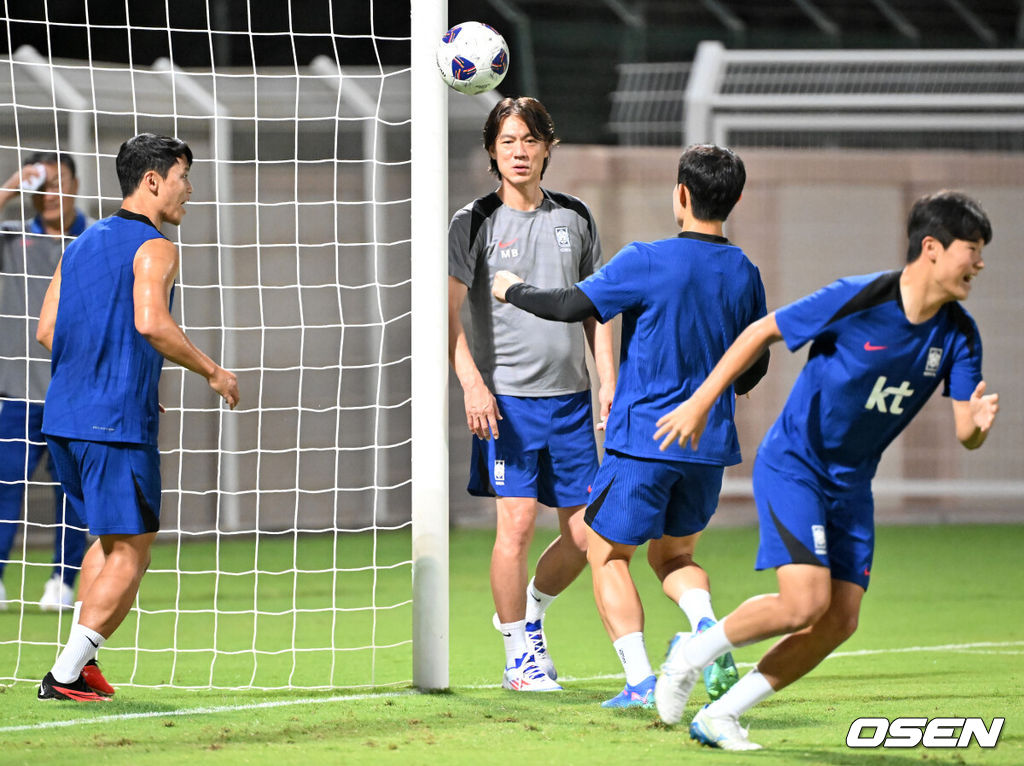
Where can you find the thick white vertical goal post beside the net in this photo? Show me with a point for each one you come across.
(430, 345)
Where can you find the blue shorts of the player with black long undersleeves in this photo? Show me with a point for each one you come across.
(638, 499)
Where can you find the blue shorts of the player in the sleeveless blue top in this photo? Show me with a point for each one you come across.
(115, 487)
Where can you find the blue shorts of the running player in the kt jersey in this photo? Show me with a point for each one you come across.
(801, 524)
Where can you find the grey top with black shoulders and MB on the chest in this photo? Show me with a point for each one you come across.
(554, 246)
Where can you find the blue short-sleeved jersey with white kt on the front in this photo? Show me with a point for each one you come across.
(869, 372)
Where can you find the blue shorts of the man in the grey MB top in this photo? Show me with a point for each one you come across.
(546, 450)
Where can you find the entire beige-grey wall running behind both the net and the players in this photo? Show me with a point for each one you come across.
(307, 326)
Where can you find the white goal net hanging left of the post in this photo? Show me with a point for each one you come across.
(285, 552)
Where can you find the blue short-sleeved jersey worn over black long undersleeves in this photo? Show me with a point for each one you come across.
(684, 303)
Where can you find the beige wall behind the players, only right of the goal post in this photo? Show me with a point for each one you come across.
(806, 219)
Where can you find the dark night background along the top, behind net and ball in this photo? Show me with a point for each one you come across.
(577, 45)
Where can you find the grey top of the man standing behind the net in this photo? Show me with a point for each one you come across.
(28, 261)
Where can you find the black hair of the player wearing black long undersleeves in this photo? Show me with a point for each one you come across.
(715, 177)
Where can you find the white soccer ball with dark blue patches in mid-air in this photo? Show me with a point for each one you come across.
(473, 58)
